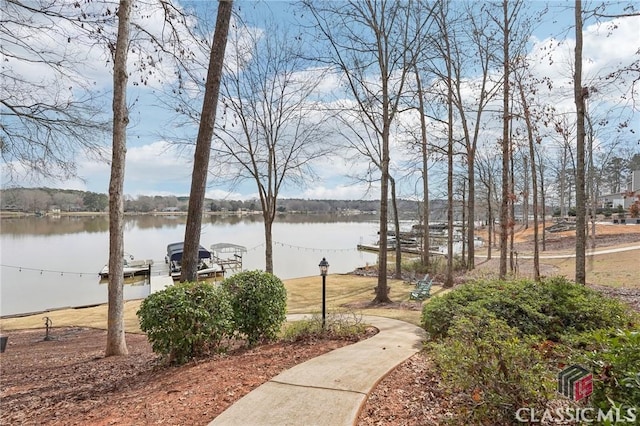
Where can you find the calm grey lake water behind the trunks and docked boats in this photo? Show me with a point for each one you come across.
(53, 262)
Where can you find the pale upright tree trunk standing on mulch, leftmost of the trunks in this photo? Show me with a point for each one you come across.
(116, 344)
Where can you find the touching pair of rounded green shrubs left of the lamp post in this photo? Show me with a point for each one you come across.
(188, 320)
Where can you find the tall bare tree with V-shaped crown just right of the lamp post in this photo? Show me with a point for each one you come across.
(373, 45)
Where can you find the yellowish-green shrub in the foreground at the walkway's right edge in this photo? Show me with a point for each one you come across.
(493, 369)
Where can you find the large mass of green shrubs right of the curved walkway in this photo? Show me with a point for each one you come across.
(499, 345)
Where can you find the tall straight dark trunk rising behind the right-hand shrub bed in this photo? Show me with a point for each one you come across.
(580, 94)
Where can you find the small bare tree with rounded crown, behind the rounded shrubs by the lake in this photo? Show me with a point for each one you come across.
(272, 130)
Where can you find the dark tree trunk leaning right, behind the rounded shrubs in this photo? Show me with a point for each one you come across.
(203, 143)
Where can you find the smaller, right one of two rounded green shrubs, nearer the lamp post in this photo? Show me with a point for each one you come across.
(259, 301)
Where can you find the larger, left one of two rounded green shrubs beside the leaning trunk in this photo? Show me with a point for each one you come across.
(186, 320)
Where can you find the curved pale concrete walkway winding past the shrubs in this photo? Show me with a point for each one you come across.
(329, 389)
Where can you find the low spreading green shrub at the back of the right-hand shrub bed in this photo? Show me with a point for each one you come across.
(549, 309)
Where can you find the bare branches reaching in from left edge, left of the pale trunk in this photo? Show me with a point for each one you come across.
(51, 111)
